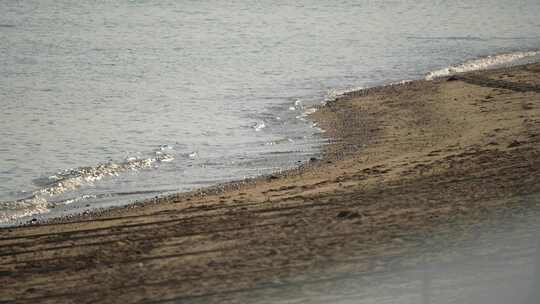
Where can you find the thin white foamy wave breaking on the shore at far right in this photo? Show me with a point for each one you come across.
(480, 64)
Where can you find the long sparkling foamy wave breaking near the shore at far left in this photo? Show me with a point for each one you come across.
(71, 179)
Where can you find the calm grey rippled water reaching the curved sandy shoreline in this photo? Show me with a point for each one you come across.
(108, 102)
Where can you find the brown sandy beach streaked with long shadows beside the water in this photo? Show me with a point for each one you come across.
(410, 163)
